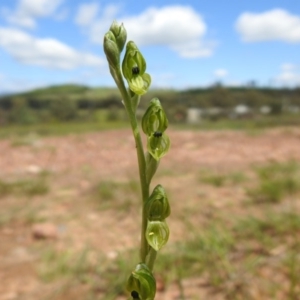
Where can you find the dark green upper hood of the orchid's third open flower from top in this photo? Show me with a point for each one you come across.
(157, 207)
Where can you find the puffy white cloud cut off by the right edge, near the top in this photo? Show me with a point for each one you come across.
(276, 24)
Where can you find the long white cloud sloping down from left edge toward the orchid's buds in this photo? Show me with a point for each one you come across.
(48, 52)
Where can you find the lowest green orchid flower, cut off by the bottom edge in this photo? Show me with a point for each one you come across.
(141, 283)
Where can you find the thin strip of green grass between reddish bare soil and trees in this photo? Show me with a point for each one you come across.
(115, 119)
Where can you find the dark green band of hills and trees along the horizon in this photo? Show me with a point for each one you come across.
(71, 102)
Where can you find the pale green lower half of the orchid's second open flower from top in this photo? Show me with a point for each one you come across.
(158, 145)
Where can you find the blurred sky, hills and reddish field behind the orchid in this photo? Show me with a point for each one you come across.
(228, 76)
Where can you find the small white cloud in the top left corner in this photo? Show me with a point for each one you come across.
(28, 10)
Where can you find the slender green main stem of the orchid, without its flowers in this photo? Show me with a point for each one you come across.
(140, 155)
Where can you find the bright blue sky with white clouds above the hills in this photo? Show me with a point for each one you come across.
(189, 43)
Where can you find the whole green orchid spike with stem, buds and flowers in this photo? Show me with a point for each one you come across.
(155, 206)
